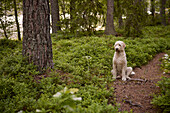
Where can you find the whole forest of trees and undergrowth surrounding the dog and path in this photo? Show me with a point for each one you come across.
(56, 55)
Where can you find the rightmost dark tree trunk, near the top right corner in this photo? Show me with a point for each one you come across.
(162, 12)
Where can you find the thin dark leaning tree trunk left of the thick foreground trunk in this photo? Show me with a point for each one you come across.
(16, 19)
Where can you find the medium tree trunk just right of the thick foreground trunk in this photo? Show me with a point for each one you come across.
(55, 16)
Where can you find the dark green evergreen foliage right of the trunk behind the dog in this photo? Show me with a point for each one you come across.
(135, 17)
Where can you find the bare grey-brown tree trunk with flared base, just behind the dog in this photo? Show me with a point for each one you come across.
(110, 30)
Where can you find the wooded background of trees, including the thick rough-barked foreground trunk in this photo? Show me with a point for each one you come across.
(73, 18)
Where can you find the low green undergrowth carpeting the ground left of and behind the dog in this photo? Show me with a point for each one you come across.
(83, 83)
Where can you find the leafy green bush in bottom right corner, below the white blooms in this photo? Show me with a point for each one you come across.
(163, 99)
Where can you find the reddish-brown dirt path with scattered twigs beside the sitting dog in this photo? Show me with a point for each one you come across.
(136, 96)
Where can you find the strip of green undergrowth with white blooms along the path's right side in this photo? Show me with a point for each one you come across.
(162, 100)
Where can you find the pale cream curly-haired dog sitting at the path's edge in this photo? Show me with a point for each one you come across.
(120, 62)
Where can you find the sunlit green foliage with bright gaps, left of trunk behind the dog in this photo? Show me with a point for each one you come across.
(80, 17)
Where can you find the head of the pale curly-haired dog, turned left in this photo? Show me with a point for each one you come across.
(119, 46)
